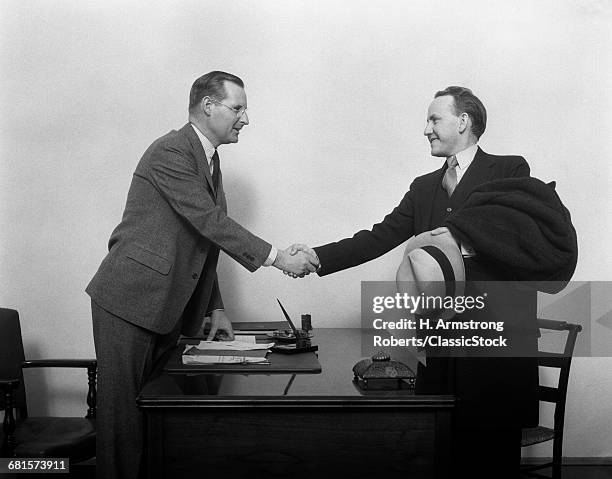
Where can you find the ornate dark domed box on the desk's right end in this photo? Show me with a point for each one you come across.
(381, 372)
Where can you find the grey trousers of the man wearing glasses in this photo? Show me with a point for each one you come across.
(127, 356)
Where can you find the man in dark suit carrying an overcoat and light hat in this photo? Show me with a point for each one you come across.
(497, 396)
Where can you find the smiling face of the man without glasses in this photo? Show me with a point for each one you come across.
(444, 128)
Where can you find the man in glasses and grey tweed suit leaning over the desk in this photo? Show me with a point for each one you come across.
(159, 278)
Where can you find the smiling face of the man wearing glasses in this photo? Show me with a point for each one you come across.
(227, 115)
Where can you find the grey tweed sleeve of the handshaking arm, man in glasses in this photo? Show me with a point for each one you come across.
(173, 173)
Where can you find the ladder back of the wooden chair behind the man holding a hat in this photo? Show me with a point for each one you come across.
(561, 361)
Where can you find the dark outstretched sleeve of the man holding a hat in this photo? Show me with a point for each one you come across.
(367, 245)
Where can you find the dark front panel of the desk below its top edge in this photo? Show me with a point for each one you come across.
(259, 442)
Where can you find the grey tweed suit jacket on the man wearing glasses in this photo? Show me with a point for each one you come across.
(168, 241)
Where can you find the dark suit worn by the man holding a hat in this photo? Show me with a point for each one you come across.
(494, 393)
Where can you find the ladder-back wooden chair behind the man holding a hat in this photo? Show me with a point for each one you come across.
(557, 395)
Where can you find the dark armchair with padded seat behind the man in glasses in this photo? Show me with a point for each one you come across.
(24, 436)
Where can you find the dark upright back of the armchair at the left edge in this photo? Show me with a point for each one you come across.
(12, 358)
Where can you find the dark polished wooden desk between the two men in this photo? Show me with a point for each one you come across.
(236, 426)
